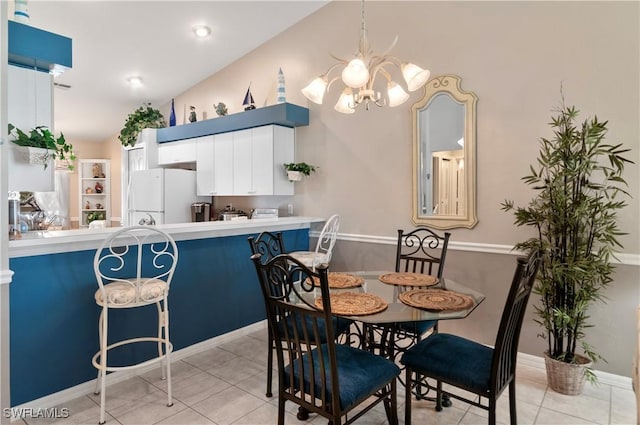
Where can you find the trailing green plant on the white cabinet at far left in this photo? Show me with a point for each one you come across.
(41, 137)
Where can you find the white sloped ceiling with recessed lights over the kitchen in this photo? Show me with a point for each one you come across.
(113, 40)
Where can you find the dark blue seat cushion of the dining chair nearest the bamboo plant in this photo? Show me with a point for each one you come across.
(452, 359)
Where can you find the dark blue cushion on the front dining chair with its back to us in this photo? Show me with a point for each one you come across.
(360, 373)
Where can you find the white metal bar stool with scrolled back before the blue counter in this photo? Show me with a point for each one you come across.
(134, 268)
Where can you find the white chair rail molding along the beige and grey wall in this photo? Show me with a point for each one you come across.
(620, 258)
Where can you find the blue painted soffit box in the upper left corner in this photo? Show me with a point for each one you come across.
(31, 47)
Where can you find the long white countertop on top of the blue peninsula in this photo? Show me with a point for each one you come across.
(57, 241)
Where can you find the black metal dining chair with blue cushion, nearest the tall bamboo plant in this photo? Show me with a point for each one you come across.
(472, 366)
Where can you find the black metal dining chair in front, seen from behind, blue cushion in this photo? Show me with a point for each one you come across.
(314, 371)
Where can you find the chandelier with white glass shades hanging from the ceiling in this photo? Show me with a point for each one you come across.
(359, 74)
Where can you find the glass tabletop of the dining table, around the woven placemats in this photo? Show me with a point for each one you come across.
(399, 312)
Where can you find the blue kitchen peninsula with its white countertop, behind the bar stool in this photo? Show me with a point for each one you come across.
(54, 318)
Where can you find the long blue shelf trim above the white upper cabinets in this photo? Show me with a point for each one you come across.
(284, 114)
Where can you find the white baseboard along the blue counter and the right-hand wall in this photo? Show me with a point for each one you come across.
(61, 397)
